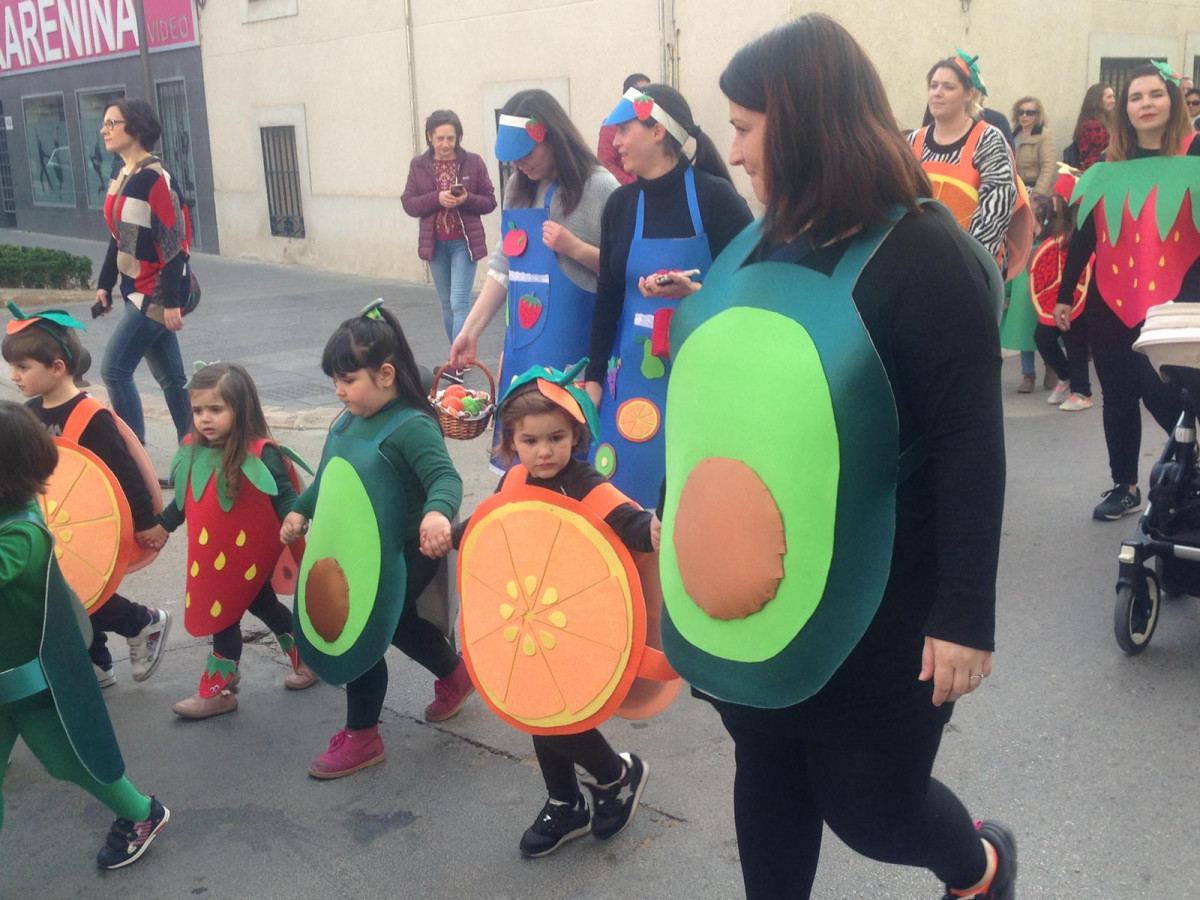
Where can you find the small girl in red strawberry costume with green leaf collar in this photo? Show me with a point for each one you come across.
(235, 485)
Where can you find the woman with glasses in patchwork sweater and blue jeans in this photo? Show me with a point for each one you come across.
(151, 236)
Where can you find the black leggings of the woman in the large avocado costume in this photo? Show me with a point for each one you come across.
(881, 801)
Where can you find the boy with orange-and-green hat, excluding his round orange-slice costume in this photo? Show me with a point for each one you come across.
(45, 351)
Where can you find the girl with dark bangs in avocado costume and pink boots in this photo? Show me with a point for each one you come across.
(381, 511)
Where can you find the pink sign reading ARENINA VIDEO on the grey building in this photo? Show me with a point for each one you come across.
(40, 34)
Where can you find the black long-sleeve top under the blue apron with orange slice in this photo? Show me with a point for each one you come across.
(723, 213)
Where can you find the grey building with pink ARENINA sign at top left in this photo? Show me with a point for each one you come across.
(62, 64)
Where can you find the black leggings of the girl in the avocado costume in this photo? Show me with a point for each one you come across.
(417, 639)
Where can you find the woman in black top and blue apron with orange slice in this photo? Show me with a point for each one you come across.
(676, 218)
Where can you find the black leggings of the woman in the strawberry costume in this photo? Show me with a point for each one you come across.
(1126, 379)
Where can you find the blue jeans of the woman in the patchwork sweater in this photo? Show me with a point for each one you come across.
(140, 338)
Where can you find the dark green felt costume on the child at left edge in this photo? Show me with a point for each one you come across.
(63, 667)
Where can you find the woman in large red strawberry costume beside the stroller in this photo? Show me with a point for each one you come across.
(1145, 257)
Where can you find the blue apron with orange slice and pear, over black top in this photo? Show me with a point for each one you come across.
(631, 451)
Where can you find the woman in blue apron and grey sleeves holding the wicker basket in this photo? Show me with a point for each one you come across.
(544, 271)
